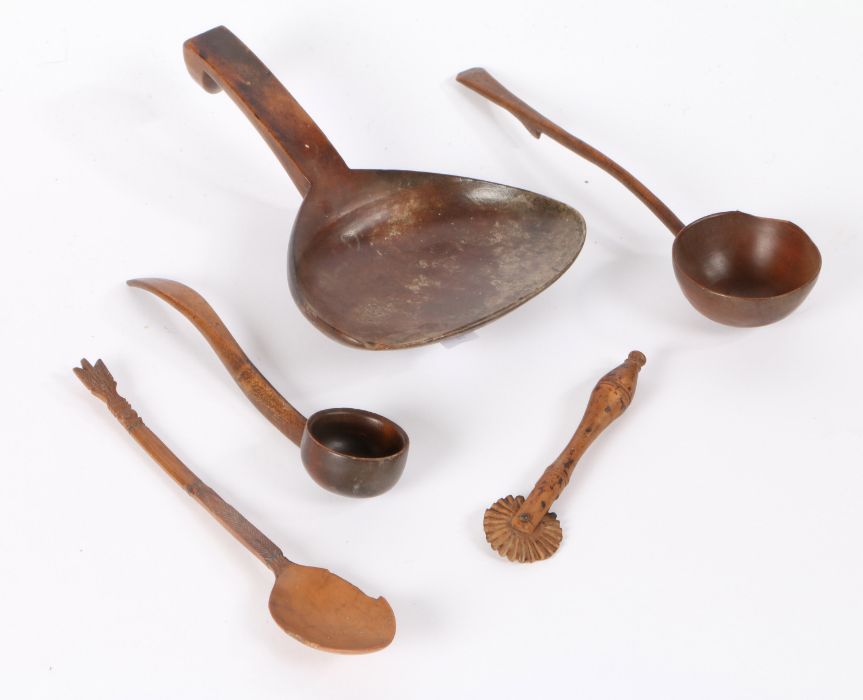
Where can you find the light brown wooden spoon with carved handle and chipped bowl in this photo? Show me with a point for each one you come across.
(311, 604)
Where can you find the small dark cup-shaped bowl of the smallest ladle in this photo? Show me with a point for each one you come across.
(353, 452)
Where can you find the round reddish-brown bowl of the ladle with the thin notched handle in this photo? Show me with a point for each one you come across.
(744, 270)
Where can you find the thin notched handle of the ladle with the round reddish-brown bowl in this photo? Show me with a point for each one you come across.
(481, 81)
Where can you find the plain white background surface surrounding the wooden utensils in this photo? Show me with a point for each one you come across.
(712, 544)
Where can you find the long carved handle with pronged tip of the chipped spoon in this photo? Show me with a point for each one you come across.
(99, 381)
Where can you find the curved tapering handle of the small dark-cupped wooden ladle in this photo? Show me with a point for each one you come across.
(259, 391)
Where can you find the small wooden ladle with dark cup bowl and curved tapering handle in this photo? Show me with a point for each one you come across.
(346, 450)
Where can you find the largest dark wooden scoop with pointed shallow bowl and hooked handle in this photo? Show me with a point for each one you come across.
(385, 259)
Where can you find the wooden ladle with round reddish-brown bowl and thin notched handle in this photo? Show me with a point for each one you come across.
(735, 268)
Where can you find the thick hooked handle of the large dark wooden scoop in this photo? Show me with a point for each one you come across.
(219, 60)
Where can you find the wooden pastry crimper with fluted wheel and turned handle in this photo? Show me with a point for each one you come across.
(522, 529)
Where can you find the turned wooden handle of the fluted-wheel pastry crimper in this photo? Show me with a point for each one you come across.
(609, 399)
